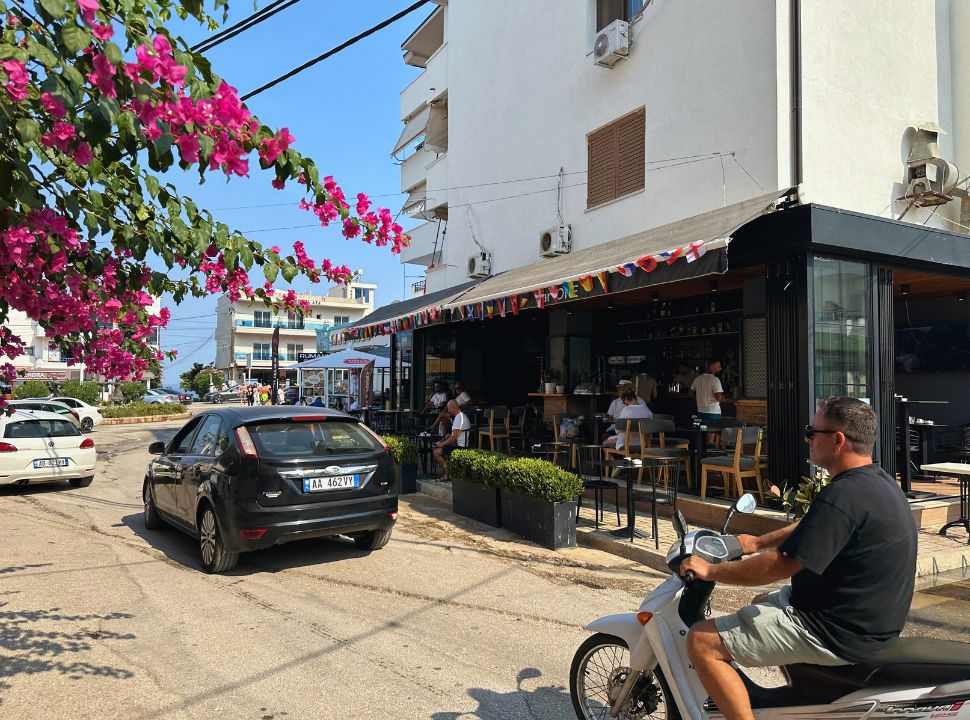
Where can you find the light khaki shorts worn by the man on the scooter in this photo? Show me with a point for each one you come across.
(771, 634)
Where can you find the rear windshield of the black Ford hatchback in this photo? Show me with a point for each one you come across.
(312, 437)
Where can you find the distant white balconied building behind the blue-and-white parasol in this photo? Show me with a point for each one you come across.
(244, 330)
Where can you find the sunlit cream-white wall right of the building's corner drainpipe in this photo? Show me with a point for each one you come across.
(870, 69)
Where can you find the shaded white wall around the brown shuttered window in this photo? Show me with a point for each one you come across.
(524, 92)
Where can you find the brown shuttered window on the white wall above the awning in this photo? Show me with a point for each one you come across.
(616, 159)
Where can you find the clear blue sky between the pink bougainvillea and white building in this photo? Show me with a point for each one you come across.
(344, 113)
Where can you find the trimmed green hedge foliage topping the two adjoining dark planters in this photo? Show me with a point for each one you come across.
(525, 476)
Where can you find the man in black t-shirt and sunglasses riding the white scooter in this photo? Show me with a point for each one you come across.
(851, 560)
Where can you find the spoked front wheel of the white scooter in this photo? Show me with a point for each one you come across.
(600, 667)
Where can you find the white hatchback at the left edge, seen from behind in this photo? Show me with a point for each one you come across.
(37, 446)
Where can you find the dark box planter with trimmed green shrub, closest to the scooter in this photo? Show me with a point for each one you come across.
(539, 501)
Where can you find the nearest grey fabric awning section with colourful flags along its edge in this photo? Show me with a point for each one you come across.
(648, 254)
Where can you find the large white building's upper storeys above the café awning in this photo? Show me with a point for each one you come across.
(512, 127)
